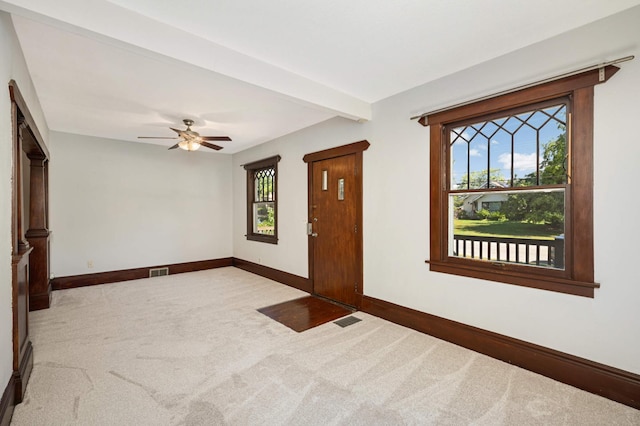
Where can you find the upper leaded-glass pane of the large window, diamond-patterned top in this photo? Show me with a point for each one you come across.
(524, 149)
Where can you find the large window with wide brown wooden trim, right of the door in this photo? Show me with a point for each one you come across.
(511, 186)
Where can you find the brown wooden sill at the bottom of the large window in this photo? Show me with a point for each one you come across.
(539, 281)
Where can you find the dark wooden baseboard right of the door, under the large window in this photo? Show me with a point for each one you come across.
(612, 383)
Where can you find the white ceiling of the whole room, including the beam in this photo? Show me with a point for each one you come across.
(254, 69)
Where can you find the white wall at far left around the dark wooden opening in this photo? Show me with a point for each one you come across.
(12, 67)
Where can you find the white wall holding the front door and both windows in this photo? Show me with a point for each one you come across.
(396, 196)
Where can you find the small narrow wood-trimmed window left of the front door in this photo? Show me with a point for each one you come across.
(262, 206)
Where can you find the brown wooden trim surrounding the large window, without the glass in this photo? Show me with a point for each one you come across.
(578, 276)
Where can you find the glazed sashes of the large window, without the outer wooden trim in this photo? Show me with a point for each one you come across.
(508, 180)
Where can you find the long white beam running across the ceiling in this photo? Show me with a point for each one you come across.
(110, 23)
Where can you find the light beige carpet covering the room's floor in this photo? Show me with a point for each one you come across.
(191, 349)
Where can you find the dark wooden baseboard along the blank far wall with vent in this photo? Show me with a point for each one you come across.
(63, 283)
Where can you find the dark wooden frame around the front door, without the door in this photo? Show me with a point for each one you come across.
(356, 148)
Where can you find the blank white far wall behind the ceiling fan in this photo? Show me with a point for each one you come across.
(121, 205)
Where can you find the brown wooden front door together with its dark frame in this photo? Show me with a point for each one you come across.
(335, 217)
